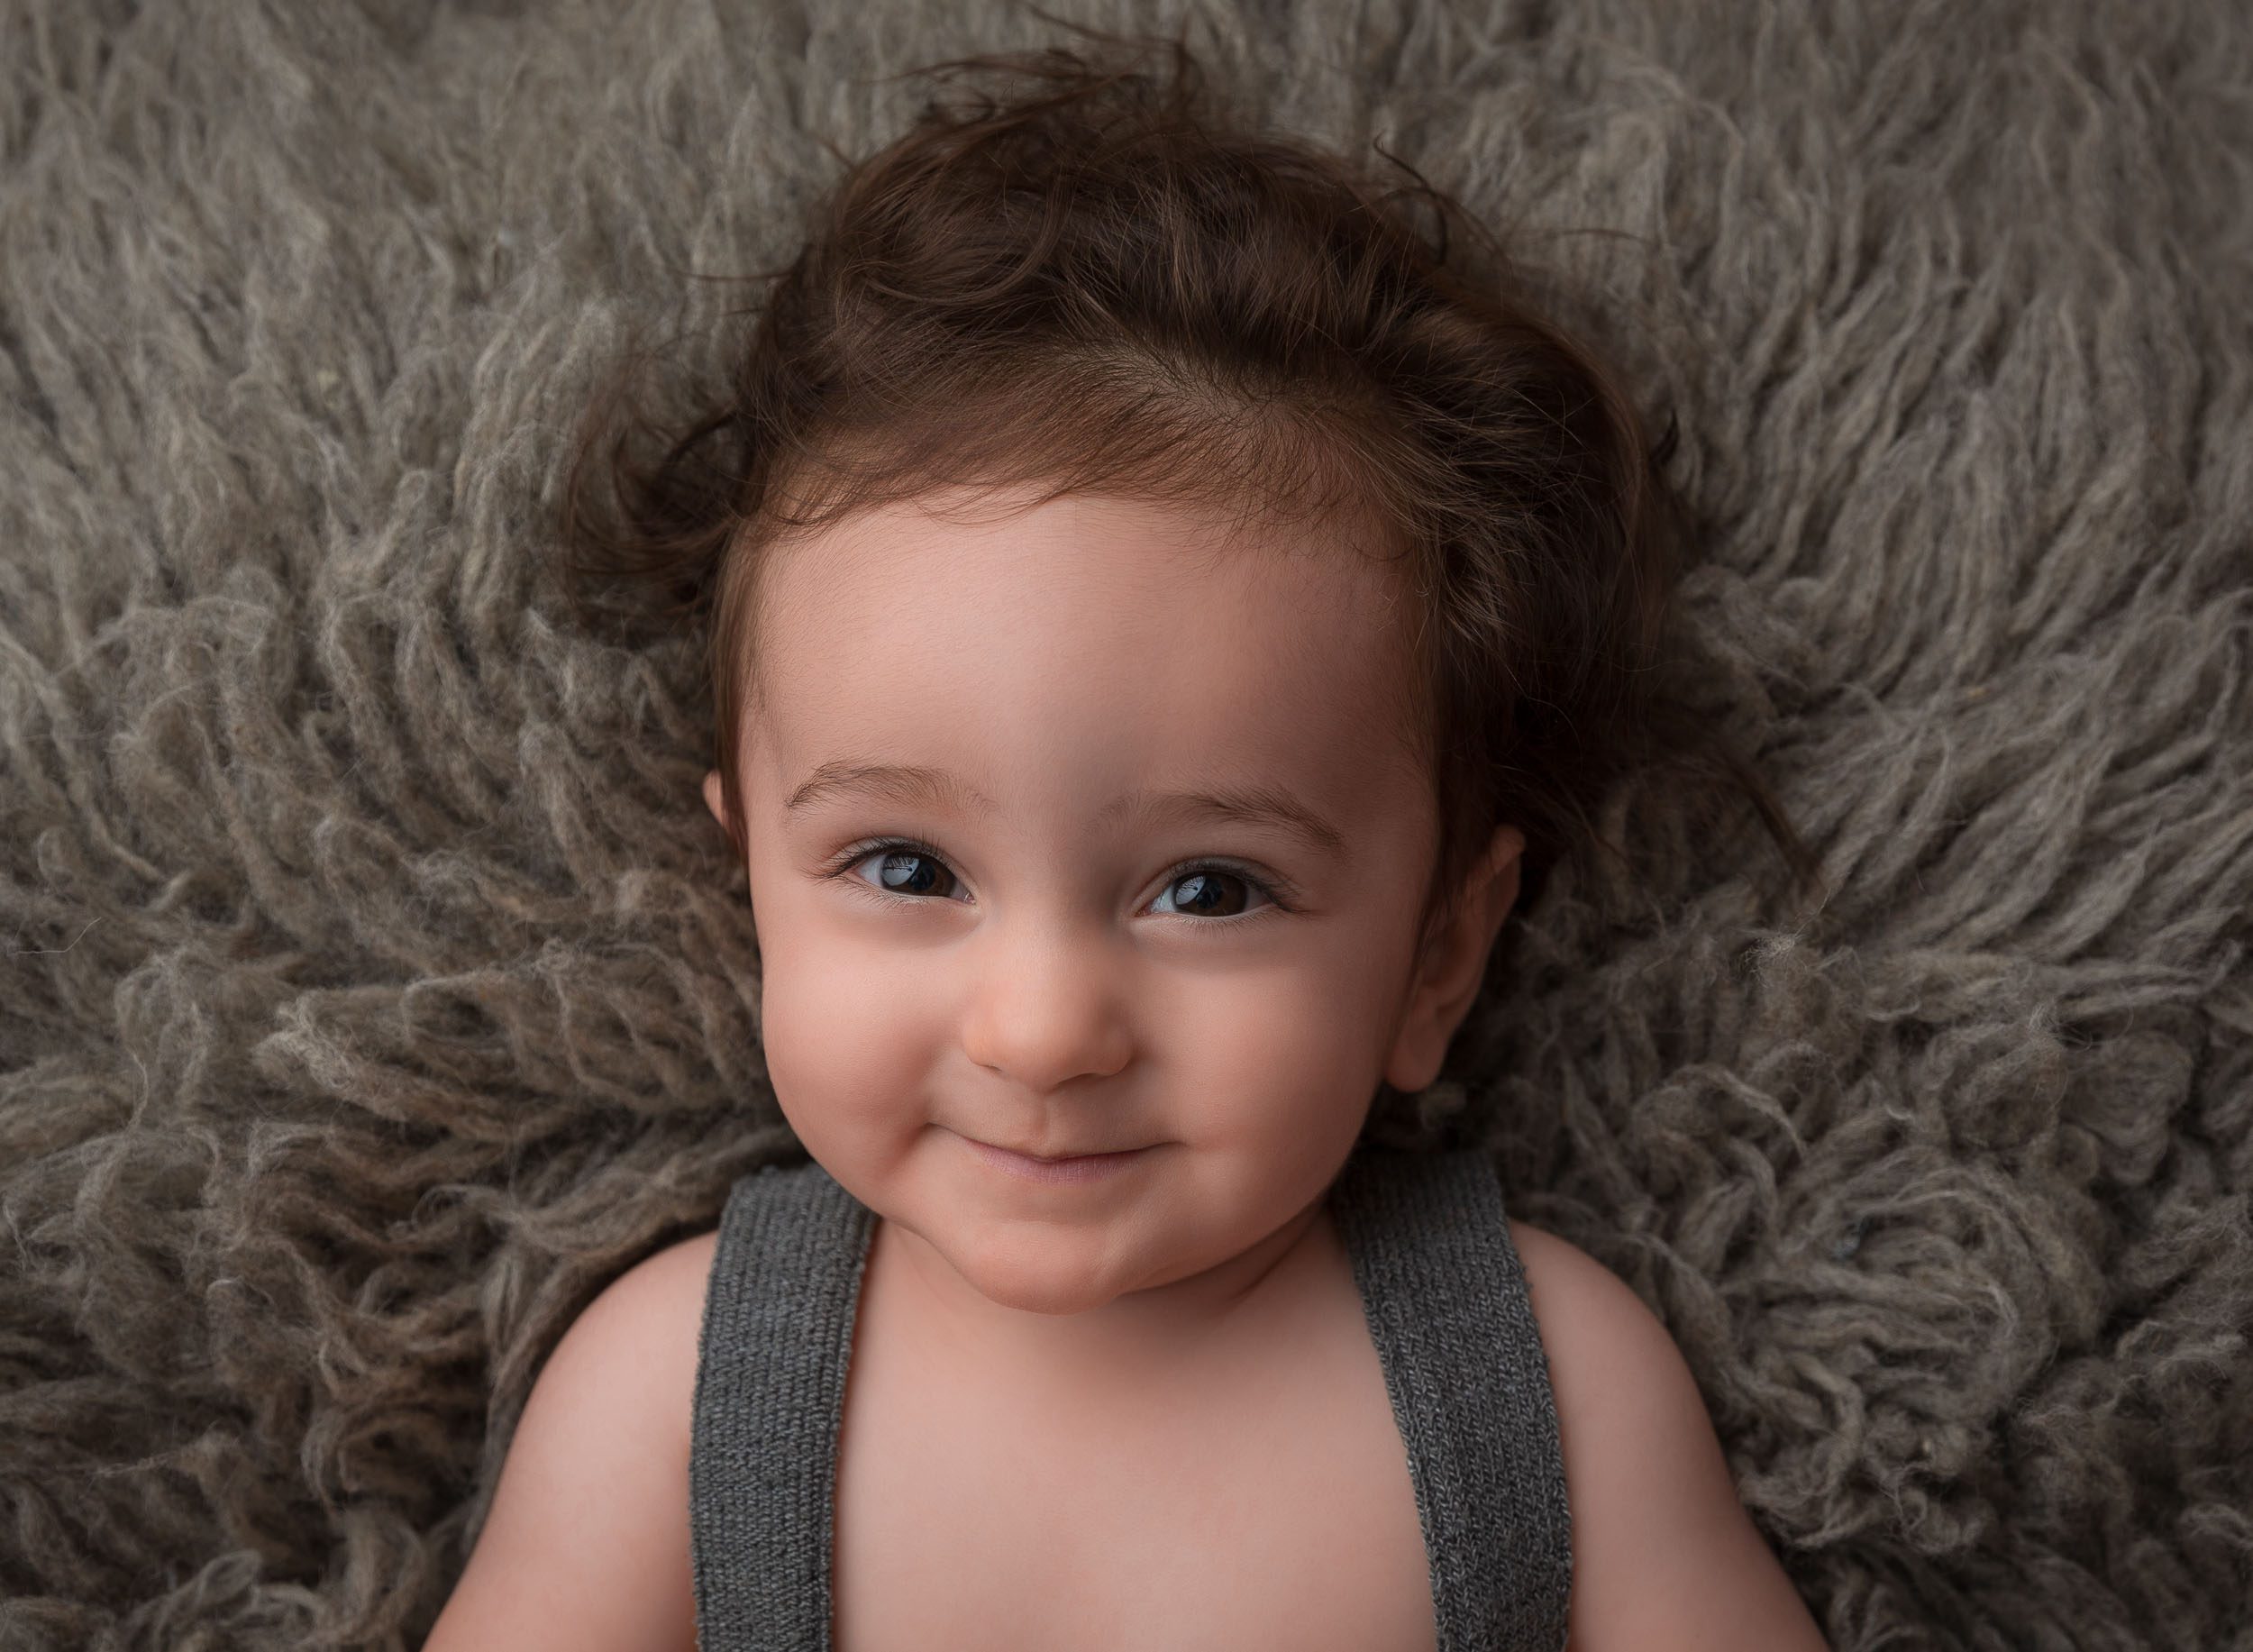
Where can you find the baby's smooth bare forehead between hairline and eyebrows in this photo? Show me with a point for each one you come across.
(1080, 628)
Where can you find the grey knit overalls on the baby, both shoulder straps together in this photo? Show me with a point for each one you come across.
(1448, 1308)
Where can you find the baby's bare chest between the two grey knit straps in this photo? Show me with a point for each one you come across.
(1265, 1518)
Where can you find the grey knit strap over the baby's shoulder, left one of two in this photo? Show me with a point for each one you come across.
(769, 1410)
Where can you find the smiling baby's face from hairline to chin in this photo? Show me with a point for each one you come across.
(1087, 952)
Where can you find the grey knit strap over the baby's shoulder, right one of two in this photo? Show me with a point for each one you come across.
(1454, 1329)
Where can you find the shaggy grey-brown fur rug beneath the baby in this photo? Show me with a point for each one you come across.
(377, 986)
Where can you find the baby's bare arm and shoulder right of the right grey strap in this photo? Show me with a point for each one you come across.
(1664, 1552)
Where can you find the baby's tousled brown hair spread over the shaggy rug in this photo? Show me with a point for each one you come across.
(1101, 283)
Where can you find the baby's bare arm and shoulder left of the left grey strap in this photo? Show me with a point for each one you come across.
(589, 1536)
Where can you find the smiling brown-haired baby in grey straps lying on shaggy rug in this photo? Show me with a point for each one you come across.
(1159, 605)
